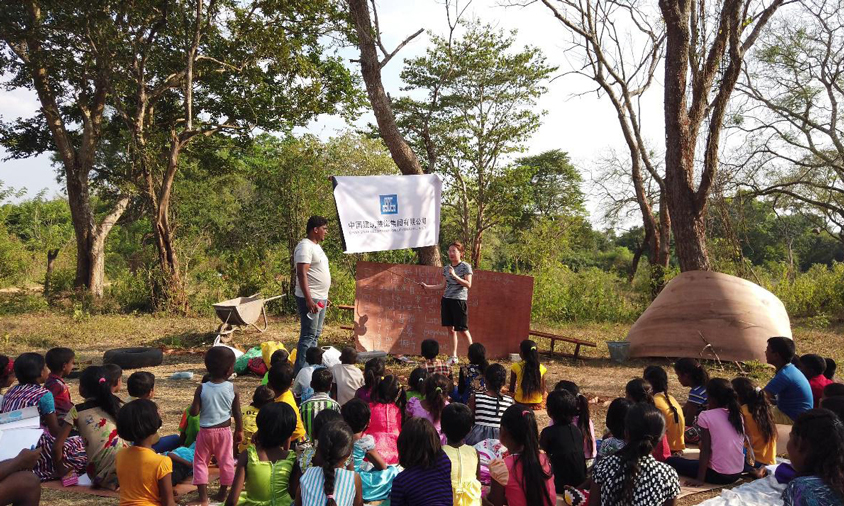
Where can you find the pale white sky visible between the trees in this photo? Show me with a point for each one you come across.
(585, 126)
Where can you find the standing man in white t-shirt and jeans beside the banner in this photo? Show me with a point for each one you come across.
(313, 280)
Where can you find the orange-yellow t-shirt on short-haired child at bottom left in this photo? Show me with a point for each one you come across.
(138, 471)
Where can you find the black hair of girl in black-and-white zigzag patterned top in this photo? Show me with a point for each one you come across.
(644, 426)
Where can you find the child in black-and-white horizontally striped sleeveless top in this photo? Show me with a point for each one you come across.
(488, 406)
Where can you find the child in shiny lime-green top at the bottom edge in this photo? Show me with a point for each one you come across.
(266, 472)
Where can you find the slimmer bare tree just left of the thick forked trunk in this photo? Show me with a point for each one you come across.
(620, 45)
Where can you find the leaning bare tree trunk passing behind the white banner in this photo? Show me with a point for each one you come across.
(400, 151)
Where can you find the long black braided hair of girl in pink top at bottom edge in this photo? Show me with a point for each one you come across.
(520, 424)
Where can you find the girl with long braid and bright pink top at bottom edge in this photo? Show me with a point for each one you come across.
(528, 479)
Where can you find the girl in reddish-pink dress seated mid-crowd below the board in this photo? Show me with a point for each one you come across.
(387, 407)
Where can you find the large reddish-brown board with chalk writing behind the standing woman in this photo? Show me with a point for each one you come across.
(394, 314)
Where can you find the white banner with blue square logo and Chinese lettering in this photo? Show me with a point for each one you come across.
(379, 213)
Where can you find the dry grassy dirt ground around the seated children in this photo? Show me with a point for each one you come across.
(184, 340)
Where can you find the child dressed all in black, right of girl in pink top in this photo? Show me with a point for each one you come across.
(563, 441)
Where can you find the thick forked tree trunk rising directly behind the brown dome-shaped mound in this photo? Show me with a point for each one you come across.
(705, 48)
